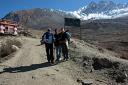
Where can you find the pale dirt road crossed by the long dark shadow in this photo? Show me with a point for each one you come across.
(29, 67)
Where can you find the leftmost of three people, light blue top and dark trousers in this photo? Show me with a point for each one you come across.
(48, 39)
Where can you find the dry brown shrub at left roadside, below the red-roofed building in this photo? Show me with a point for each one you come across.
(6, 47)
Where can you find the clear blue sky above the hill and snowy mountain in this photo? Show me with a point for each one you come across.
(67, 5)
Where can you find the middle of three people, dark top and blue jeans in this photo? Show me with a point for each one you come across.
(57, 46)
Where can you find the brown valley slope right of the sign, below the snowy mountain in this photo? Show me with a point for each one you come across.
(108, 33)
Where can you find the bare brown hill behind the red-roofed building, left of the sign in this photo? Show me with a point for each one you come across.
(38, 18)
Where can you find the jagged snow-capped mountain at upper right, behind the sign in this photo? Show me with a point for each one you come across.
(102, 10)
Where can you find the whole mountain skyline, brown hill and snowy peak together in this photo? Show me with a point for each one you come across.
(39, 17)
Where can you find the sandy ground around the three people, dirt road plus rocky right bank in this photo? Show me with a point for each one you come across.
(88, 64)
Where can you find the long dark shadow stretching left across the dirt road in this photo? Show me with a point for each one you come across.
(26, 68)
